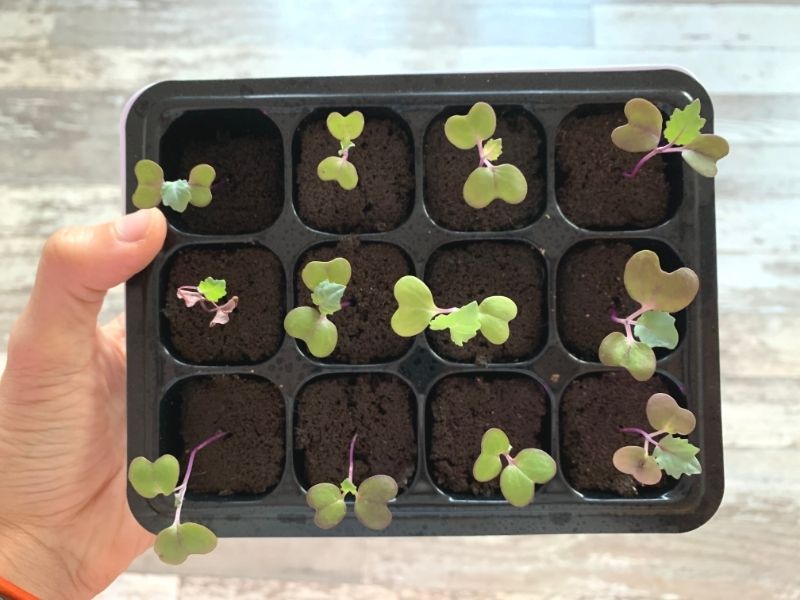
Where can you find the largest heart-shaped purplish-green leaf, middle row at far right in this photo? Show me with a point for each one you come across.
(650, 286)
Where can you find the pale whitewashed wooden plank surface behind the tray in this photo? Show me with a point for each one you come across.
(66, 68)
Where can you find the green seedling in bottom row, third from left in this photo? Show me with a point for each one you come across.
(530, 466)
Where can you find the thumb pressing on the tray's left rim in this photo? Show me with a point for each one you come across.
(78, 266)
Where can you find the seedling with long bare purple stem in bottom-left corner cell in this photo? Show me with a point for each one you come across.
(175, 543)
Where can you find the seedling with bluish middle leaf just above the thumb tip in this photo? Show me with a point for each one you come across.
(151, 188)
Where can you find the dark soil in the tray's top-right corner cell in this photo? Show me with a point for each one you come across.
(590, 187)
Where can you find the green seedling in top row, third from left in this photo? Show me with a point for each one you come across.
(488, 182)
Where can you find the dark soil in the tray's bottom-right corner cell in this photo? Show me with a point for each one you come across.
(593, 409)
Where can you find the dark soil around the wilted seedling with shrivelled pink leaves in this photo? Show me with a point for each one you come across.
(255, 330)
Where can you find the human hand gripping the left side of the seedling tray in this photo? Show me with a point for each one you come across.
(65, 527)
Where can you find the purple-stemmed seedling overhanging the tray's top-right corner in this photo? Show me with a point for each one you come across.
(642, 133)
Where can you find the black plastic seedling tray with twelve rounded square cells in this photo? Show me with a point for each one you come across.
(423, 509)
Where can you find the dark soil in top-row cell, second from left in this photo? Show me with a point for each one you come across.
(384, 196)
